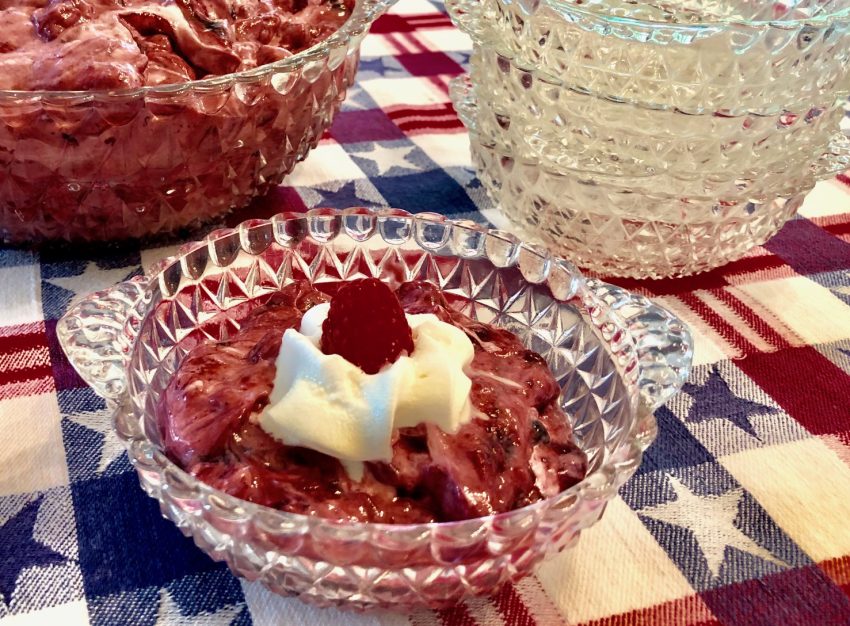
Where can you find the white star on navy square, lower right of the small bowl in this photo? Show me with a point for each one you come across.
(711, 519)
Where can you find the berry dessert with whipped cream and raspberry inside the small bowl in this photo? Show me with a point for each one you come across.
(374, 406)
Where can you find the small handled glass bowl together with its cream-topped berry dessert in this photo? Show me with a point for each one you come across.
(377, 409)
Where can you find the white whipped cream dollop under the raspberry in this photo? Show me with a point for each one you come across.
(324, 402)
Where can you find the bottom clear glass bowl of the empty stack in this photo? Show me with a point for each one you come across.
(604, 224)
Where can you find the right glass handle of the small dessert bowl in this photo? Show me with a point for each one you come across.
(662, 342)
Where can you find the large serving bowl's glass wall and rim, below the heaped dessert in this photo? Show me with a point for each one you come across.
(106, 165)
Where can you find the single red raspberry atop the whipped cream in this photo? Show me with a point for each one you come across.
(366, 325)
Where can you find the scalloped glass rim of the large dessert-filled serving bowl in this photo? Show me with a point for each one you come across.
(365, 12)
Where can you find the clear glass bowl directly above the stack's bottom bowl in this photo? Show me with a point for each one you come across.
(571, 129)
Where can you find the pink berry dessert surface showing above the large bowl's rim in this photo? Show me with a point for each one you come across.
(113, 44)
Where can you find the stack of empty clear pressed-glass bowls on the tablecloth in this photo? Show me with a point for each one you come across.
(653, 139)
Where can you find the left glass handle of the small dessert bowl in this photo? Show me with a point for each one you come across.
(98, 332)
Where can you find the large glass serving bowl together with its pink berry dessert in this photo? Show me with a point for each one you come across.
(127, 118)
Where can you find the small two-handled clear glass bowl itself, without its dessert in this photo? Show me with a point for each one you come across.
(616, 355)
